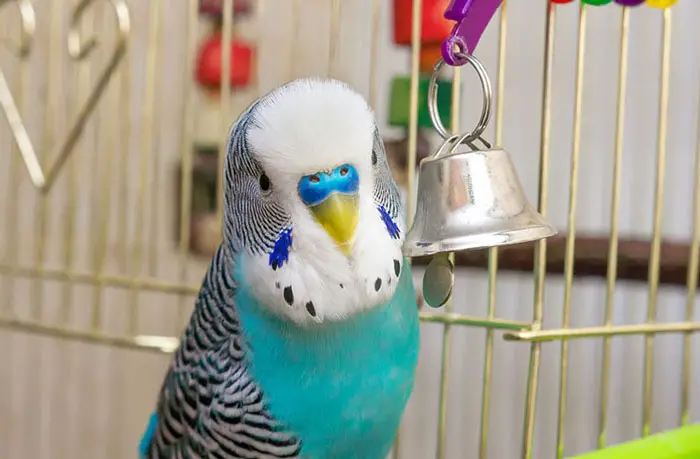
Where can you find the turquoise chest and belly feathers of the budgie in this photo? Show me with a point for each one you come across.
(343, 387)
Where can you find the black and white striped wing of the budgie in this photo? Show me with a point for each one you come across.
(209, 406)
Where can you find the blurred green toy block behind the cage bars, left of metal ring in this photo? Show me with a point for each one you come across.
(400, 97)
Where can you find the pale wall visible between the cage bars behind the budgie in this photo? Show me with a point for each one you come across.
(71, 400)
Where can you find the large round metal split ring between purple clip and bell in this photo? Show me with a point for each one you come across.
(487, 95)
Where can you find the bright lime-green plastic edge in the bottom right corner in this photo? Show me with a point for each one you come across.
(683, 443)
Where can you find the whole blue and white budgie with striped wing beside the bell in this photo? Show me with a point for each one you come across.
(304, 338)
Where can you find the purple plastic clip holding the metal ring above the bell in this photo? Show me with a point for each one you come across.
(472, 17)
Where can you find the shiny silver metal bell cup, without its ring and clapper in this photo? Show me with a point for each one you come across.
(471, 199)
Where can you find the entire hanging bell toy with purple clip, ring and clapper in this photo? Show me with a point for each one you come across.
(469, 194)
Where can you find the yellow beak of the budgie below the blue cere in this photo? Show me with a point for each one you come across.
(338, 215)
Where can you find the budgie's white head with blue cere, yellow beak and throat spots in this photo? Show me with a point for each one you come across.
(311, 209)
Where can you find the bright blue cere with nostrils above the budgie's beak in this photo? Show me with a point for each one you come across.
(324, 184)
